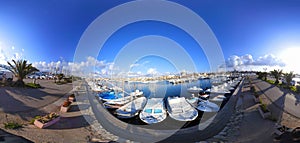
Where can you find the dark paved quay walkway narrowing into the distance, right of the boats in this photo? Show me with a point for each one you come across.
(246, 125)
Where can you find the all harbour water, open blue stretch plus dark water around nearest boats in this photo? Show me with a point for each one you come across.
(164, 89)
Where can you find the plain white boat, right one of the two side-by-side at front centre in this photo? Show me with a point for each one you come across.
(179, 109)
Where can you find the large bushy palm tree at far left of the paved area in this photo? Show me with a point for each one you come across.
(20, 69)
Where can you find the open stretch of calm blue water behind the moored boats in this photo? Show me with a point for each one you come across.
(163, 88)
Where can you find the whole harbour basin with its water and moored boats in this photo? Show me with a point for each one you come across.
(203, 97)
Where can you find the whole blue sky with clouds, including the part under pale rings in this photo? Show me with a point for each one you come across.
(251, 34)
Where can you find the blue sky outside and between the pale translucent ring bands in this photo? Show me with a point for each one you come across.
(250, 33)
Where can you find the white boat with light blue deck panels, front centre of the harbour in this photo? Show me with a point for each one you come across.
(154, 111)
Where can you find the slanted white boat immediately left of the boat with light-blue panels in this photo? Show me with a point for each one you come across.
(132, 108)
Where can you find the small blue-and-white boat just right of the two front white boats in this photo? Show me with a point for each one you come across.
(207, 106)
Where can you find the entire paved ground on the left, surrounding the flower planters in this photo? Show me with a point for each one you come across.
(22, 104)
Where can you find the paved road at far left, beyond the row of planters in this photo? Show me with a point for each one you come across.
(28, 99)
